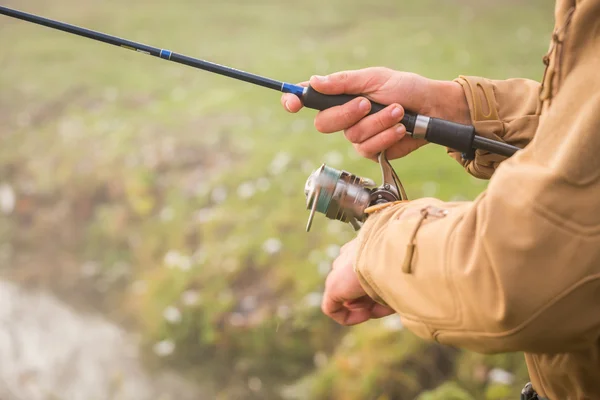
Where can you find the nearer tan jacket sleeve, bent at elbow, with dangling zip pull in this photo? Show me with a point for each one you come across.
(518, 268)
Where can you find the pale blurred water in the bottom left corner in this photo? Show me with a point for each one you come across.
(48, 351)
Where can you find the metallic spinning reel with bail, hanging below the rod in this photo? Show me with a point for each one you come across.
(343, 196)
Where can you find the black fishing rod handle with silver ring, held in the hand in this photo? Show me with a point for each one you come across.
(450, 134)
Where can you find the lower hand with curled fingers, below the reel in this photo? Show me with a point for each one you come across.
(344, 299)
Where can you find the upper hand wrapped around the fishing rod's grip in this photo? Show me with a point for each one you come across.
(374, 133)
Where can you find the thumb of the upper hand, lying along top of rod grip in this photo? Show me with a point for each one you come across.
(360, 81)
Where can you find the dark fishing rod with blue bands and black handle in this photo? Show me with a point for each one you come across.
(456, 136)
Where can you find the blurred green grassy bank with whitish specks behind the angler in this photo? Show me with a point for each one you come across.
(136, 164)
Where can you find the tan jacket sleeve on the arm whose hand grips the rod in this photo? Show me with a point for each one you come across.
(503, 110)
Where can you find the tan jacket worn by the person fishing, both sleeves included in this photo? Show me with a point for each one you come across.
(518, 269)
